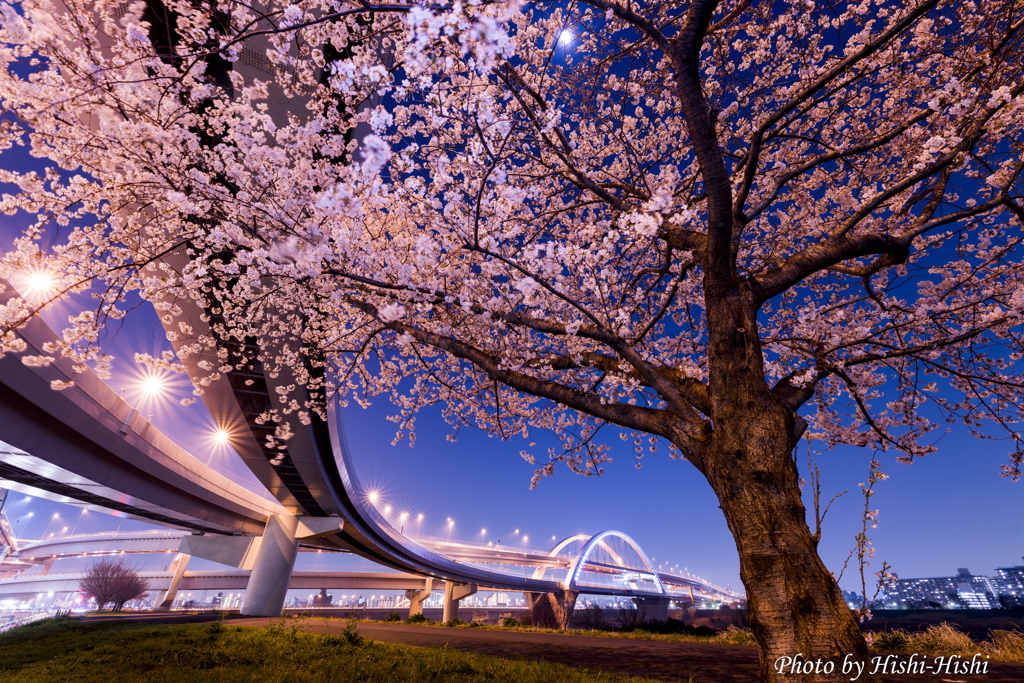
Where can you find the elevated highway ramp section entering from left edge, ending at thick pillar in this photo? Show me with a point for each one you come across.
(87, 446)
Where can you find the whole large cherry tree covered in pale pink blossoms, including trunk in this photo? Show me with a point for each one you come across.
(720, 226)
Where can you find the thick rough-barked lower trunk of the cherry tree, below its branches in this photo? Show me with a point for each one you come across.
(796, 607)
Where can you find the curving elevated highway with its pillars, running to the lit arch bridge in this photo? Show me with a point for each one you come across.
(89, 447)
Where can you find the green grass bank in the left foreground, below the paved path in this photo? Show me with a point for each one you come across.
(65, 650)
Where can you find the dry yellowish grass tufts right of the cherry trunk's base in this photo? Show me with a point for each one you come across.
(946, 639)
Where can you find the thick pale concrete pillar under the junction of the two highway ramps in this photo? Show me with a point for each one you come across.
(269, 583)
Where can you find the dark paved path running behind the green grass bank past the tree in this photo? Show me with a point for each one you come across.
(654, 659)
